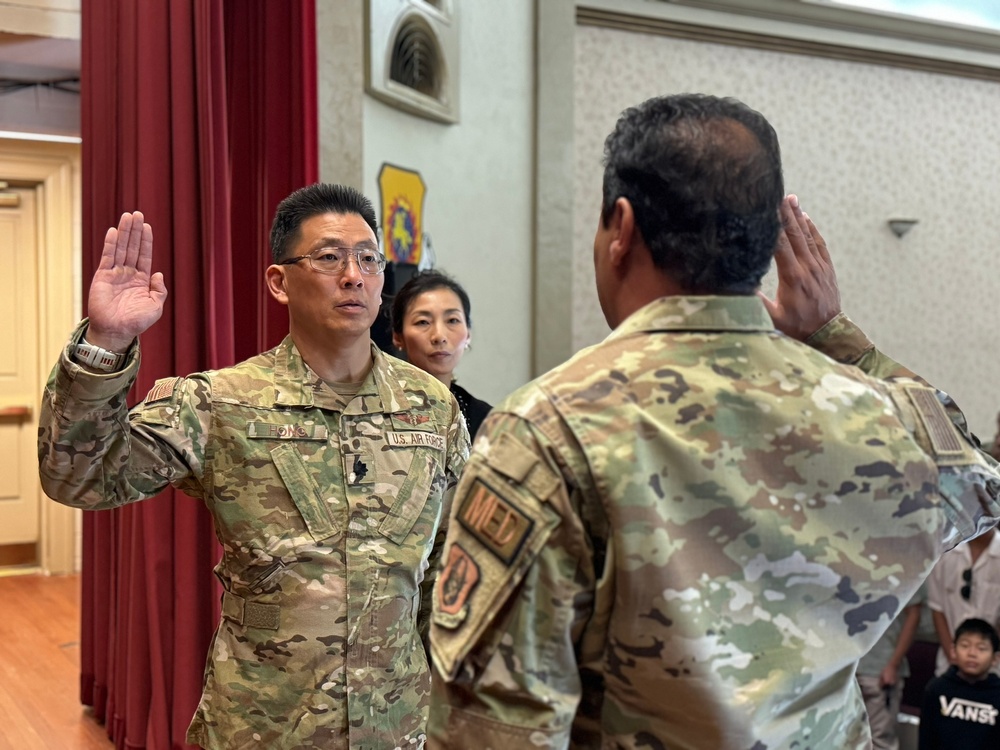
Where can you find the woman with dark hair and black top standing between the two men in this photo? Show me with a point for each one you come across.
(431, 326)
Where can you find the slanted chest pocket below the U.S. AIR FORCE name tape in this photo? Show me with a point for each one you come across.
(410, 472)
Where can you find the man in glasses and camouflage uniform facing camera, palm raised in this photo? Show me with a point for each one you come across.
(328, 467)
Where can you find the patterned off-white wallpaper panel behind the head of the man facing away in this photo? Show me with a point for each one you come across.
(861, 143)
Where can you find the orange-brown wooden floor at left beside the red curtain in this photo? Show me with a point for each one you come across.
(40, 667)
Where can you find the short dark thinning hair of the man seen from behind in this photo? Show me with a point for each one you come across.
(703, 176)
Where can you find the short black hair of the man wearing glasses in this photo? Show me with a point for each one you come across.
(314, 200)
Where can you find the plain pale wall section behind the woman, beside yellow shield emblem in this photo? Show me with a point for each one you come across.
(478, 206)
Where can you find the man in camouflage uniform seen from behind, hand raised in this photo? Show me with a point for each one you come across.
(686, 536)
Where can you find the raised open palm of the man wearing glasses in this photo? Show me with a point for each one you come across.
(125, 299)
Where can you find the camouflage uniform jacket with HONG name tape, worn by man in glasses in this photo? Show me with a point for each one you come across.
(331, 518)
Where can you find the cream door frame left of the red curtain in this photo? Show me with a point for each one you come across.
(54, 170)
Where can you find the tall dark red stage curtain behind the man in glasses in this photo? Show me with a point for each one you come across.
(201, 114)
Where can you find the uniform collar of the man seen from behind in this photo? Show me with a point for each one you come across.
(690, 313)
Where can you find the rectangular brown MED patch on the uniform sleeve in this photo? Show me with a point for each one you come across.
(498, 524)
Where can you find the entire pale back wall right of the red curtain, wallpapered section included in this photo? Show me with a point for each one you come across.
(513, 188)
